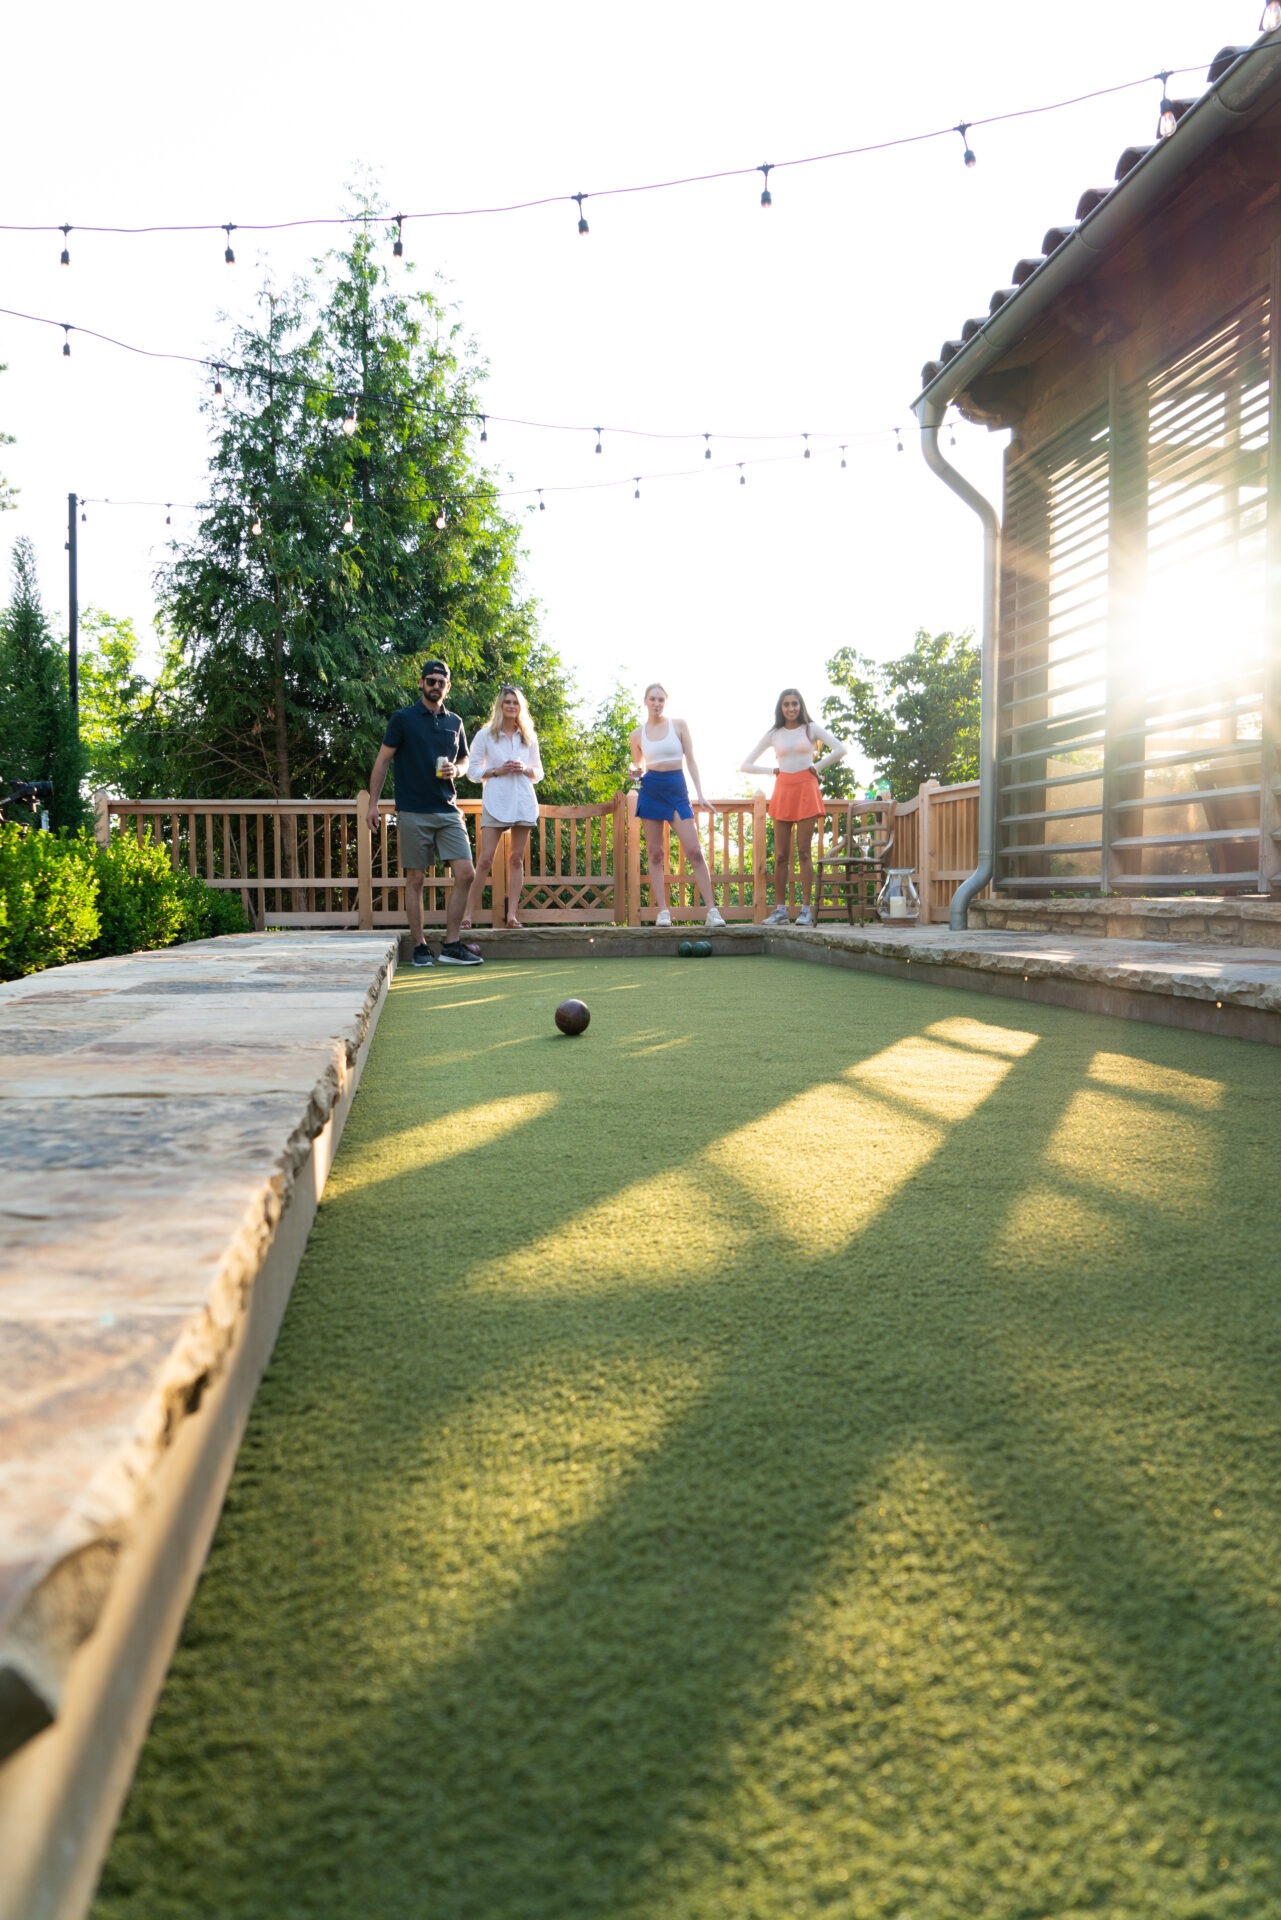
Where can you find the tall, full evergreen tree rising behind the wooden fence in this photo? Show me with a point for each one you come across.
(301, 638)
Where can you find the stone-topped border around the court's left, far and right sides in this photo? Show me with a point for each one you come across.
(166, 1130)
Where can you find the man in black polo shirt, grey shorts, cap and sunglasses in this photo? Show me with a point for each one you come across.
(429, 748)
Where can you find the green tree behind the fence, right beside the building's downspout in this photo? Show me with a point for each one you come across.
(917, 717)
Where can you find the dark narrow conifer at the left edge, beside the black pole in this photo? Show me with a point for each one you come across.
(37, 727)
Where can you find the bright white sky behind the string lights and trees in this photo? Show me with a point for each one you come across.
(685, 312)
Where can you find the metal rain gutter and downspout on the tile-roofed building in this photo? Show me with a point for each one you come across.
(1224, 110)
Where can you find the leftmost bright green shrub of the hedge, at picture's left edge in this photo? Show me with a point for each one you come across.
(49, 892)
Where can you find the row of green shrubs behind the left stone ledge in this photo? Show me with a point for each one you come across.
(66, 900)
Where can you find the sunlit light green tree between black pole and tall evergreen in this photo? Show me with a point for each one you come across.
(130, 725)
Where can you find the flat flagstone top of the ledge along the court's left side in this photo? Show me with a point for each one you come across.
(157, 1116)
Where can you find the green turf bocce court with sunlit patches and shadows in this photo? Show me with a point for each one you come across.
(806, 1447)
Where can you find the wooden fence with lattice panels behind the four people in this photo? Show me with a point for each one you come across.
(318, 865)
